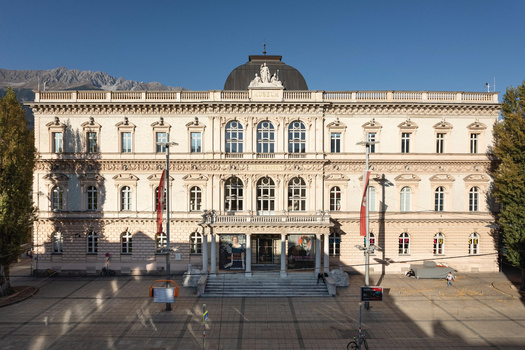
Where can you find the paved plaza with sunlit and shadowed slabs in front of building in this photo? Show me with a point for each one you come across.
(479, 311)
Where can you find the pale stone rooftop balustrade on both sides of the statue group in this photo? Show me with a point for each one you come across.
(288, 96)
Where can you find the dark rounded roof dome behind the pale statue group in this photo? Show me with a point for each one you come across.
(240, 77)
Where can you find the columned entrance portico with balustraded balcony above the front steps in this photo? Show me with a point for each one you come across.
(249, 242)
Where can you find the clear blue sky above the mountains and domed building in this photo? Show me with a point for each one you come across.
(450, 45)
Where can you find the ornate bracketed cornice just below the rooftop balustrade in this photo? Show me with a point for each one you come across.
(279, 108)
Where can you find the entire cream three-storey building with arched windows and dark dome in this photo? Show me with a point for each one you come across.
(266, 174)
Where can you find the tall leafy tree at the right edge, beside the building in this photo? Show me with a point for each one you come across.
(508, 172)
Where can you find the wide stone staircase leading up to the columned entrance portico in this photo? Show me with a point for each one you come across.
(265, 284)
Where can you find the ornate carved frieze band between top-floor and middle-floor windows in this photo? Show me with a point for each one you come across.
(256, 167)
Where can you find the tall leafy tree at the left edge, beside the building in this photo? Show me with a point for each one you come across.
(17, 160)
